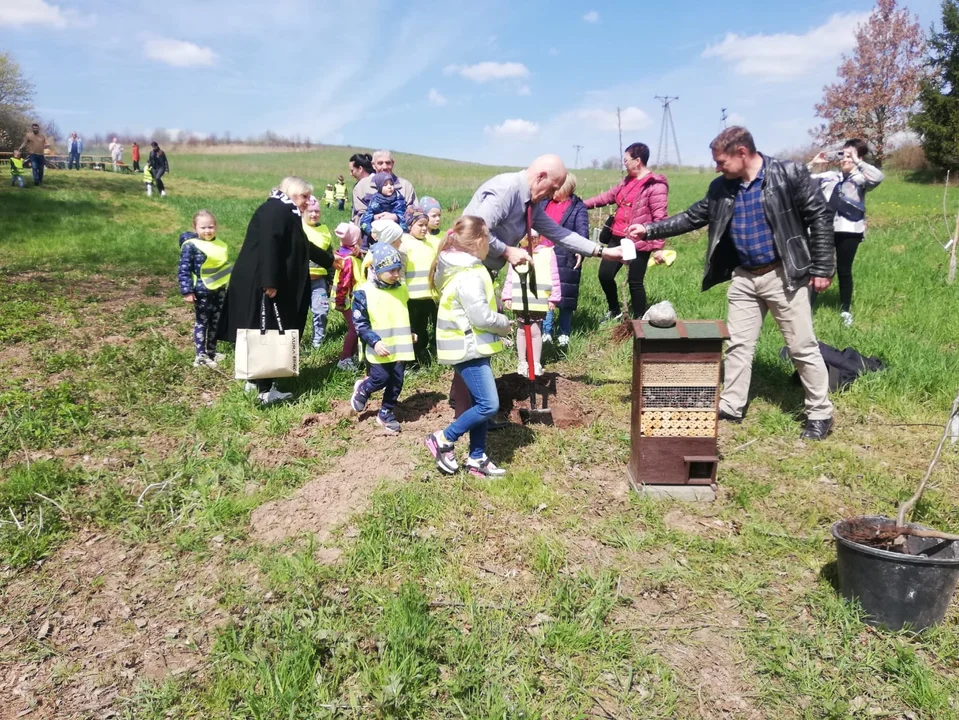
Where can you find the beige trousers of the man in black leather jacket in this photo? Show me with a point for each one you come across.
(750, 297)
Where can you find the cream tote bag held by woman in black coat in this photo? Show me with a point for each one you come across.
(263, 354)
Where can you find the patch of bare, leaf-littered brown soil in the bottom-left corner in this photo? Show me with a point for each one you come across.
(119, 616)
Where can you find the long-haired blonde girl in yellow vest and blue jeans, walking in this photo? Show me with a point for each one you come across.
(468, 332)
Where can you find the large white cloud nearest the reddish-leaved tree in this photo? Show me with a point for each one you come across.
(786, 56)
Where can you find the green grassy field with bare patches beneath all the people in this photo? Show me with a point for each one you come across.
(170, 550)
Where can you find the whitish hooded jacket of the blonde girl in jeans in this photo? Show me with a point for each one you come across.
(470, 305)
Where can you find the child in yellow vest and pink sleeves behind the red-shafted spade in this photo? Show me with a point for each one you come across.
(544, 301)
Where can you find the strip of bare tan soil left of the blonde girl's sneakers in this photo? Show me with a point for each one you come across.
(323, 503)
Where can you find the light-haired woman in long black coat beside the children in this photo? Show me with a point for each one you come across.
(274, 260)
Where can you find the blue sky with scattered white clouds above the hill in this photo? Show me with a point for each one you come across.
(493, 81)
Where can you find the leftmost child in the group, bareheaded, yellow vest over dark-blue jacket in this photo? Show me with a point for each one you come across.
(204, 274)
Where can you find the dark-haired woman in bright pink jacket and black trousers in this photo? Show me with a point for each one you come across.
(641, 197)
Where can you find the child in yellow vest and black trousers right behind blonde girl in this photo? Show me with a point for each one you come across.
(420, 252)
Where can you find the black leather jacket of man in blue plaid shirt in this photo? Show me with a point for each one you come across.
(795, 209)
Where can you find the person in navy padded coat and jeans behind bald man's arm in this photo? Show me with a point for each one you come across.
(568, 210)
